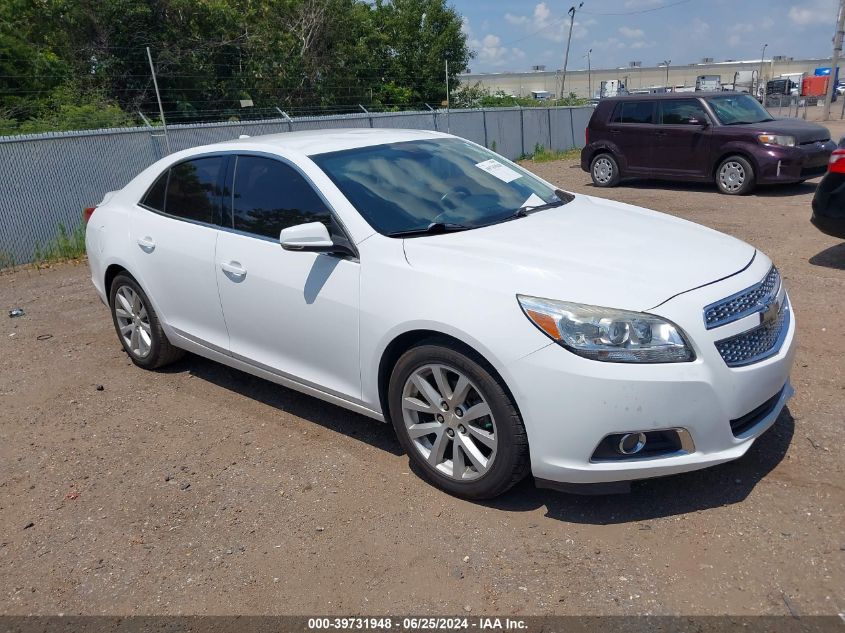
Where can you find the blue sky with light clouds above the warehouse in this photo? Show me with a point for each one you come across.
(513, 35)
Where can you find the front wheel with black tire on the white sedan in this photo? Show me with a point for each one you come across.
(491, 448)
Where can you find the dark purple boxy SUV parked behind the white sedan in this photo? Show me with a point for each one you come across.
(701, 137)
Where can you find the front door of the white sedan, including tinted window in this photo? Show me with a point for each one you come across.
(293, 313)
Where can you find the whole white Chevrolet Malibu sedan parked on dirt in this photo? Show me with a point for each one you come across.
(503, 326)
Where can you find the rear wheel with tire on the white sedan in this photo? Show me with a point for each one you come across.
(138, 328)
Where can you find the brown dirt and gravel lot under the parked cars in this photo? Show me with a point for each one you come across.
(203, 490)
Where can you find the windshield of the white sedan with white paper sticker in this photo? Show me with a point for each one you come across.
(434, 185)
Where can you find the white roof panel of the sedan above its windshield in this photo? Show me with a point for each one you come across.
(313, 142)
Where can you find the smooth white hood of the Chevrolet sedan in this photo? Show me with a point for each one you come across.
(589, 251)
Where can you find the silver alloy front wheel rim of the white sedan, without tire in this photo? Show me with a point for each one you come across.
(449, 422)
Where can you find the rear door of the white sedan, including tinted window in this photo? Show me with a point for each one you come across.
(174, 237)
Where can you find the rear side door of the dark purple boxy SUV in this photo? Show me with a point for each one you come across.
(631, 130)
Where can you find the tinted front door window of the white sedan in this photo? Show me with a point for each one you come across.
(270, 196)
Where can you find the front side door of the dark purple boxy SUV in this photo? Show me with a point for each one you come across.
(682, 139)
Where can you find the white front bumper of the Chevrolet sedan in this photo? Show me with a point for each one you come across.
(569, 404)
